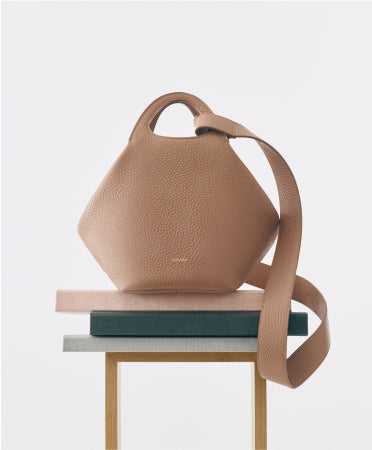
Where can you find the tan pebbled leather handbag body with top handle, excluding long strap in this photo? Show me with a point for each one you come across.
(178, 214)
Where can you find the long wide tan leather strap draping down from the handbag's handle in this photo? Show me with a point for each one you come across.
(279, 280)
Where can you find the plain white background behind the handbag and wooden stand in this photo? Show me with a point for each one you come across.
(76, 76)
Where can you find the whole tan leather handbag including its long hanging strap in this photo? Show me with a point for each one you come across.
(185, 215)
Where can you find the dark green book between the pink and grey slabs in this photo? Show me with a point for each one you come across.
(187, 323)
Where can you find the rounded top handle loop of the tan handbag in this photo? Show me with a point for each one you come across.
(147, 121)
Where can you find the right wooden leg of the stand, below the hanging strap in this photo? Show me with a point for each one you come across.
(259, 413)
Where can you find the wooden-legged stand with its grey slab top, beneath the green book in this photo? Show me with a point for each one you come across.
(119, 350)
